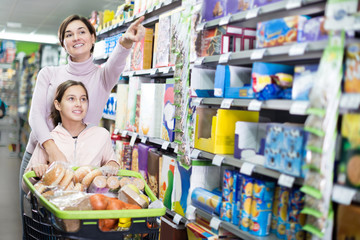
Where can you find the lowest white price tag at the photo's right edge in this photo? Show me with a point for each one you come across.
(345, 195)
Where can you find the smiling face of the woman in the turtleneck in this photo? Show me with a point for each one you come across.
(78, 41)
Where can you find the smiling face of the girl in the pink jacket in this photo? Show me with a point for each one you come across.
(74, 104)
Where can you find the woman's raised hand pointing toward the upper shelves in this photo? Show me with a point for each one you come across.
(134, 33)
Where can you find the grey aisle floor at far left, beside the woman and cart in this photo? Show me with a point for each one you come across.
(10, 221)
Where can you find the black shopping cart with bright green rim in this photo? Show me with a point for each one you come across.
(45, 220)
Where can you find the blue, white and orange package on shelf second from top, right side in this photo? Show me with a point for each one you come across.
(278, 32)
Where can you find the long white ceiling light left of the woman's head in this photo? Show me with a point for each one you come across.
(40, 38)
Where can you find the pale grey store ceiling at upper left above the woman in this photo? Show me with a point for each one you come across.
(44, 16)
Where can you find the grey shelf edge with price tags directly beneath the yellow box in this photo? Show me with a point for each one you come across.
(257, 160)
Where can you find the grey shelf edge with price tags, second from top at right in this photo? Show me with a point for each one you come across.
(311, 51)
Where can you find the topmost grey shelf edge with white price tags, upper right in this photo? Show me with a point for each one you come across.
(280, 9)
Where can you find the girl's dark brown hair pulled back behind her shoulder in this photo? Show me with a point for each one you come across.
(60, 91)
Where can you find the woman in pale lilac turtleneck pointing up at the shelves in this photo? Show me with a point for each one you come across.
(77, 36)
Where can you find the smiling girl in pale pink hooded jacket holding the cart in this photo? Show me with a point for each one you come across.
(81, 144)
